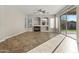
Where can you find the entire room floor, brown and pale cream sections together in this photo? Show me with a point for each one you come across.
(39, 42)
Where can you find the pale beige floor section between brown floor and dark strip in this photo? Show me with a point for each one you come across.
(48, 46)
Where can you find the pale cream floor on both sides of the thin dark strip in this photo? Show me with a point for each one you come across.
(68, 45)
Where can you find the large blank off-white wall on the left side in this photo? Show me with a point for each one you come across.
(11, 22)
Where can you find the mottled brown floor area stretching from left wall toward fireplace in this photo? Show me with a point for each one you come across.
(25, 41)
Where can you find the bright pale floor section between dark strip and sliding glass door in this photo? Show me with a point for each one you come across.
(69, 45)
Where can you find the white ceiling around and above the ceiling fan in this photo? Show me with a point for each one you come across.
(31, 9)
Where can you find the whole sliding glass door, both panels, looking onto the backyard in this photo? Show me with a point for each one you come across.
(68, 23)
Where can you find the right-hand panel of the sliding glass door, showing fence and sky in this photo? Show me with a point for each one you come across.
(71, 23)
